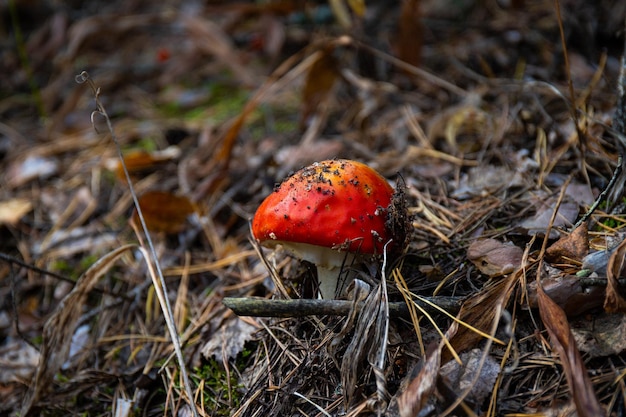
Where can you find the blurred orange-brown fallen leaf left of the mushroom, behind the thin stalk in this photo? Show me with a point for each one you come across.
(164, 212)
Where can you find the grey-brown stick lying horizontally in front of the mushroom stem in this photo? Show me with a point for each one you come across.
(261, 307)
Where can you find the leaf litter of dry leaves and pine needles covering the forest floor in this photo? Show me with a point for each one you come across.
(497, 158)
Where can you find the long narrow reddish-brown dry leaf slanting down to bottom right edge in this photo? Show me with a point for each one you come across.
(563, 342)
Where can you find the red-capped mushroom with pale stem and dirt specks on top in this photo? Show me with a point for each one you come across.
(328, 213)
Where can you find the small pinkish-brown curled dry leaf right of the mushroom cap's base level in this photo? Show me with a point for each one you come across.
(494, 258)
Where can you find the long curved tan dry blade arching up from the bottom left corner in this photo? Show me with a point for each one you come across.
(60, 327)
